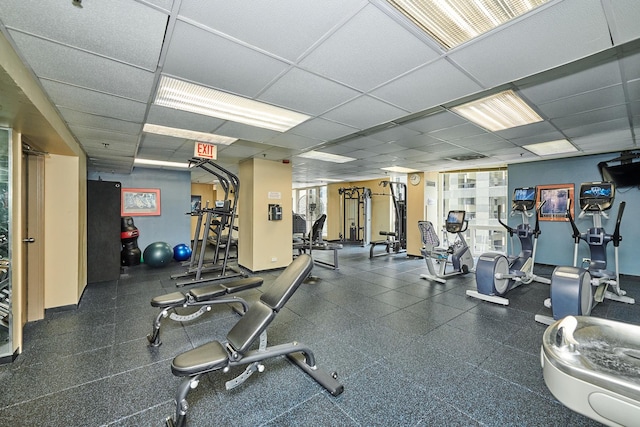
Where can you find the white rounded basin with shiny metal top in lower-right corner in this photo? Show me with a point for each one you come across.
(592, 366)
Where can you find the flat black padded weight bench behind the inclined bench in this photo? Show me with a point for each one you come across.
(203, 297)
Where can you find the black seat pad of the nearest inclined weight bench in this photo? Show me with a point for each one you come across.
(207, 357)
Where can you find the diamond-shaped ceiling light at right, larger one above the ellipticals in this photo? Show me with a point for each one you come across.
(501, 111)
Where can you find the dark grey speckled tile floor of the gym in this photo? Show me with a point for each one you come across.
(409, 352)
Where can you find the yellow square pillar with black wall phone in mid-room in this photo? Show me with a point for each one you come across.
(264, 244)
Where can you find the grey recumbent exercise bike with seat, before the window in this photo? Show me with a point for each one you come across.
(457, 254)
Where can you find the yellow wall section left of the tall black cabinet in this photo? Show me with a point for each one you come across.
(62, 225)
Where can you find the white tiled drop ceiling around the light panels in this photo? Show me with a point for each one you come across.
(376, 88)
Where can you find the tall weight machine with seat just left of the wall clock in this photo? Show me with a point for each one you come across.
(396, 240)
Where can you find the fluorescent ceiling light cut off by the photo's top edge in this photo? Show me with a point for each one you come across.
(453, 22)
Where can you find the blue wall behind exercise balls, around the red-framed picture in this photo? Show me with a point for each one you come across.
(172, 226)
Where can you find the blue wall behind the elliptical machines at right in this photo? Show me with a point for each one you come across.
(555, 245)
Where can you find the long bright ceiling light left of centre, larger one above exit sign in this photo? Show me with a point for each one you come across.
(197, 99)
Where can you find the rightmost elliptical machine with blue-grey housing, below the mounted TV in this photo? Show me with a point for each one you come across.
(571, 287)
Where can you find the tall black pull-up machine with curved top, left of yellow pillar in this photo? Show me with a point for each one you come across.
(218, 223)
